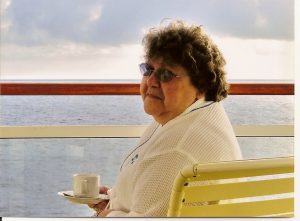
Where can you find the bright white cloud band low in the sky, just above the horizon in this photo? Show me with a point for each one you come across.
(246, 59)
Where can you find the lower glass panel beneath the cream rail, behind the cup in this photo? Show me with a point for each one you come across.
(32, 171)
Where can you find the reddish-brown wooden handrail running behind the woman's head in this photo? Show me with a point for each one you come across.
(129, 89)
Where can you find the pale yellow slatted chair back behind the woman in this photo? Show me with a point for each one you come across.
(246, 188)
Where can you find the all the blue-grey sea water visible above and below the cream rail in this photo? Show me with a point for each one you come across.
(32, 171)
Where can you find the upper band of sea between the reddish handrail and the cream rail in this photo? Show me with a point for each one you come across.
(97, 110)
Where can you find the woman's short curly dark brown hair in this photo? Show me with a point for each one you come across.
(188, 46)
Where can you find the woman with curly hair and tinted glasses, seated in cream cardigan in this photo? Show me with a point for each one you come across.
(182, 86)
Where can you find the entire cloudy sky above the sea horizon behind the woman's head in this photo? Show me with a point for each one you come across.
(100, 39)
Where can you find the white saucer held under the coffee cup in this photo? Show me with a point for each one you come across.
(82, 200)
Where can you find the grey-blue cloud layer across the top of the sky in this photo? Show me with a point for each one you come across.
(119, 21)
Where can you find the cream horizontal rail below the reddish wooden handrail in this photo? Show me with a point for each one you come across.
(129, 131)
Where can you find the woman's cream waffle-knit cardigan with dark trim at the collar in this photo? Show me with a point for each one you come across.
(202, 133)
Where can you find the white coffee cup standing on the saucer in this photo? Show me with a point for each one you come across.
(86, 185)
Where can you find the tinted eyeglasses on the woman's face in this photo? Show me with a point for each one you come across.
(161, 74)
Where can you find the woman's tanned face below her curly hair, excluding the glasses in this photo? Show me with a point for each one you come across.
(166, 100)
